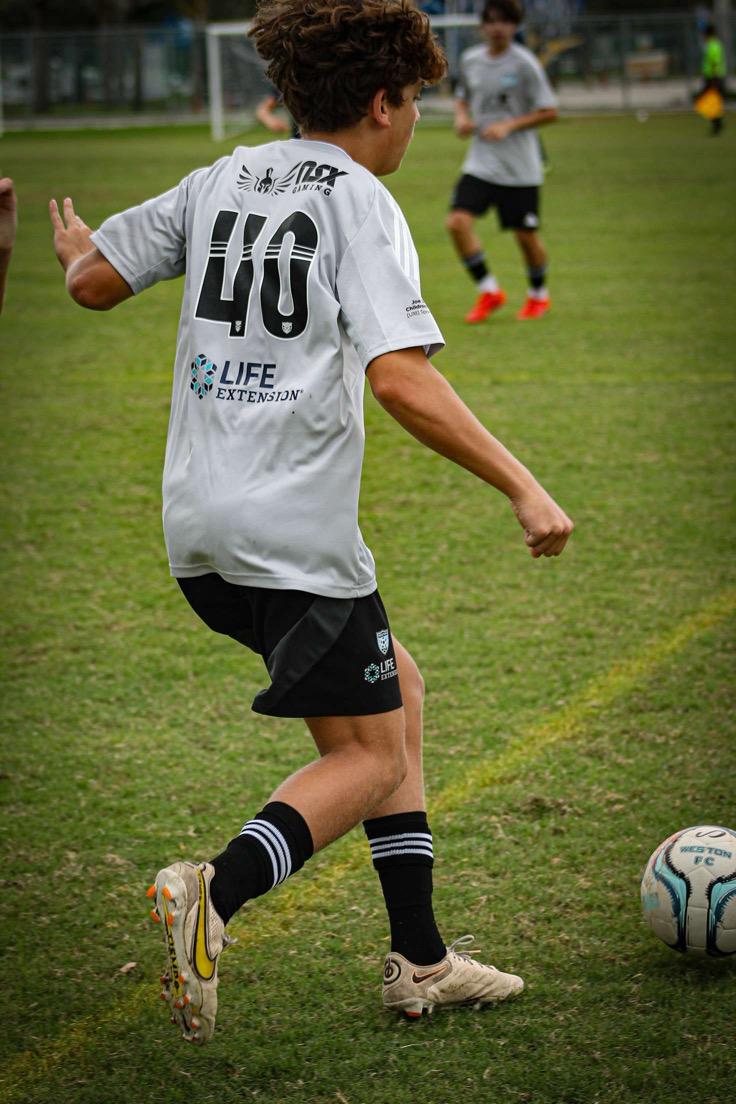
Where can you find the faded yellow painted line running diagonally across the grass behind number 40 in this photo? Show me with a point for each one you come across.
(30, 1069)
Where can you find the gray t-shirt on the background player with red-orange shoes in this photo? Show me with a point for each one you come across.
(500, 89)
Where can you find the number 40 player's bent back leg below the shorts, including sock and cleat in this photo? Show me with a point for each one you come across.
(362, 761)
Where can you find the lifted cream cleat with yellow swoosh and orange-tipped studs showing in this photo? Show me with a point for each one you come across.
(195, 939)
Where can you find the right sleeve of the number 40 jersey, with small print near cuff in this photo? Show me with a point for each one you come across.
(378, 285)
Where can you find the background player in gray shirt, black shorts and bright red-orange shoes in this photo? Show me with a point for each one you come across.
(503, 97)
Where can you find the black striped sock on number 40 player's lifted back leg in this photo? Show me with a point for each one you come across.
(273, 846)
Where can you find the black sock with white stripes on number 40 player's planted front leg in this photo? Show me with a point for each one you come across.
(401, 846)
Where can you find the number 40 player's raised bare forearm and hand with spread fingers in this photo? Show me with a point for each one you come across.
(91, 279)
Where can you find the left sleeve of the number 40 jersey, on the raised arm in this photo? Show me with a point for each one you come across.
(148, 243)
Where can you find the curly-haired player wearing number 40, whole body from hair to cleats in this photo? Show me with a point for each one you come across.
(301, 278)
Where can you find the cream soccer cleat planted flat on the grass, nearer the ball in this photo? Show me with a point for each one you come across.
(454, 982)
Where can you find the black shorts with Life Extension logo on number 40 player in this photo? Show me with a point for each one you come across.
(327, 657)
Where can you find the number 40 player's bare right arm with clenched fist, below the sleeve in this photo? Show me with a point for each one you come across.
(425, 405)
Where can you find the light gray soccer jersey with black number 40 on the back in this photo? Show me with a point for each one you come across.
(300, 270)
